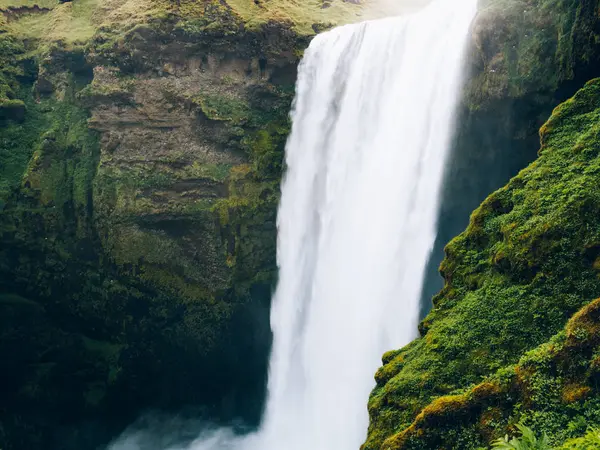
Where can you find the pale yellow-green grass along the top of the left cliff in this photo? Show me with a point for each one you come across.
(77, 21)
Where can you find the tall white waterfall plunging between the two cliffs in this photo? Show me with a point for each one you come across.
(371, 128)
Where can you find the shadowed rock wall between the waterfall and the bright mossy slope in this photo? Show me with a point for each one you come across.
(525, 57)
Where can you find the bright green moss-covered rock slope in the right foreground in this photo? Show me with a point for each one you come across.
(525, 264)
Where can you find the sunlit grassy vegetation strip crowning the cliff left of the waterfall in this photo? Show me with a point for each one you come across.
(77, 21)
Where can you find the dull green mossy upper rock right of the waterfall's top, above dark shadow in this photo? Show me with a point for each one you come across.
(531, 47)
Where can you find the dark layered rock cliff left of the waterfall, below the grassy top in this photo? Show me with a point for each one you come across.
(138, 203)
